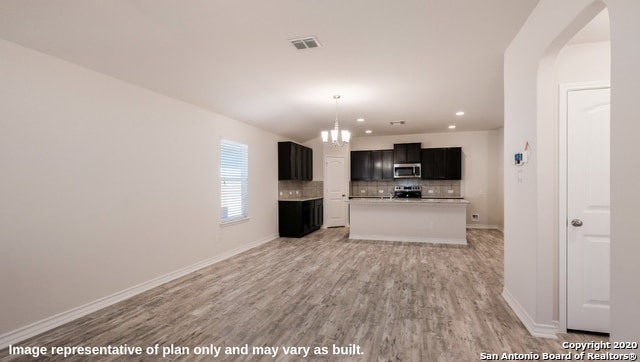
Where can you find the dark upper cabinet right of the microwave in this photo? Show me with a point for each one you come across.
(442, 163)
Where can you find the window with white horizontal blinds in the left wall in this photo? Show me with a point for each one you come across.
(233, 181)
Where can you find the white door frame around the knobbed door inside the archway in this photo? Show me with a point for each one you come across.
(563, 192)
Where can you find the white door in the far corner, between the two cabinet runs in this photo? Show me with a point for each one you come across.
(334, 179)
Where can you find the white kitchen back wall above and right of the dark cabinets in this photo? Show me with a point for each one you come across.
(481, 161)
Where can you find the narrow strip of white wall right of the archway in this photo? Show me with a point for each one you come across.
(625, 172)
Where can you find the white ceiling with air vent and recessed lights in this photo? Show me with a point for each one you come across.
(414, 60)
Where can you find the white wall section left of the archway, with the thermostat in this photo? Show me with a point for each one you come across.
(531, 191)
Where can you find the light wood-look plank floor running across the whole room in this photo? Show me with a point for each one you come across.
(394, 301)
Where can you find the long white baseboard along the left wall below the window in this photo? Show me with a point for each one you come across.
(57, 320)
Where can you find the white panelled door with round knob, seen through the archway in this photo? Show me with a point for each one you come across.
(588, 216)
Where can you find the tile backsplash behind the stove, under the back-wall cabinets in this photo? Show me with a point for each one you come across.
(430, 188)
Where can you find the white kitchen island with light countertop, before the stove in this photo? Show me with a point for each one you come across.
(442, 221)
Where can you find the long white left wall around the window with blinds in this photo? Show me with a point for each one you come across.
(105, 185)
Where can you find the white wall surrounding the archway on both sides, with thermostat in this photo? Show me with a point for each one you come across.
(530, 211)
